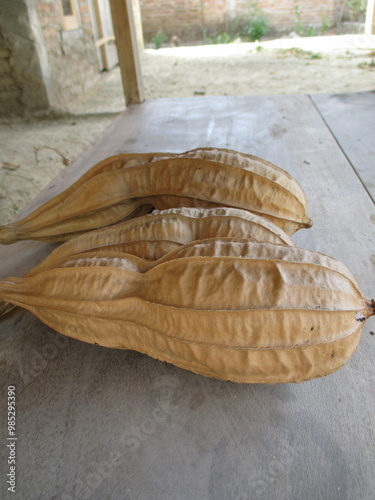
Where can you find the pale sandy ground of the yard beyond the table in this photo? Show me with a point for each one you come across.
(303, 65)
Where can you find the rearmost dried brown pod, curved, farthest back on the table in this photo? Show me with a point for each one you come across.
(112, 193)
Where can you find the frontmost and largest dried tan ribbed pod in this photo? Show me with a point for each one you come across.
(279, 314)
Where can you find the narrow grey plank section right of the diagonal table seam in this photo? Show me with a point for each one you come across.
(351, 119)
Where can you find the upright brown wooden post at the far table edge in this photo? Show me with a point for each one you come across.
(127, 48)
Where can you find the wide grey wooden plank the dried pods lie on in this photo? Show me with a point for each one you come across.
(100, 423)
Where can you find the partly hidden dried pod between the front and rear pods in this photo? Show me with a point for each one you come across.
(173, 227)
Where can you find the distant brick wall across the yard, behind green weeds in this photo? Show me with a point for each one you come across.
(184, 17)
